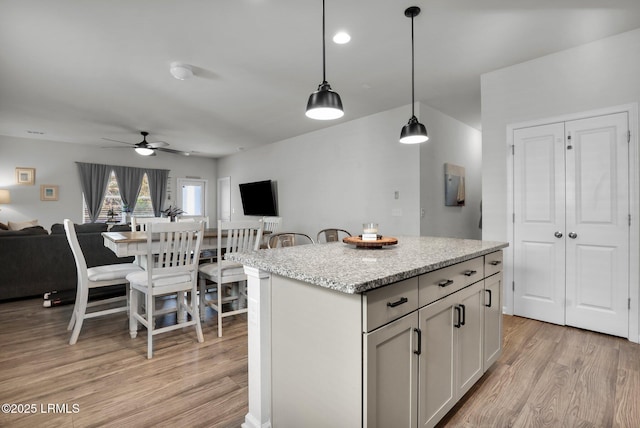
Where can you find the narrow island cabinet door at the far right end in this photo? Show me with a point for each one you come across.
(492, 319)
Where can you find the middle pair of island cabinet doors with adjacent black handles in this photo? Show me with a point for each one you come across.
(452, 359)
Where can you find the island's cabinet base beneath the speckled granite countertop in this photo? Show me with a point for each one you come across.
(389, 357)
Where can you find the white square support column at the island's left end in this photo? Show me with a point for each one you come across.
(259, 348)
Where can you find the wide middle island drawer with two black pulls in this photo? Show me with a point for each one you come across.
(442, 282)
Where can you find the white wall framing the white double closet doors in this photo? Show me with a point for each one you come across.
(589, 77)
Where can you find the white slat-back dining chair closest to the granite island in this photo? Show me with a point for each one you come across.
(229, 277)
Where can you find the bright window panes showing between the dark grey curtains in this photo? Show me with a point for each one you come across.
(112, 201)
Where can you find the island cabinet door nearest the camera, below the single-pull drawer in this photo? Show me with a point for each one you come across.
(391, 374)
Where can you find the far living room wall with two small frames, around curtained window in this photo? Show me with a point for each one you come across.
(55, 164)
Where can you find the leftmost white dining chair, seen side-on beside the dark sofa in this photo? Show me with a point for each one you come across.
(92, 278)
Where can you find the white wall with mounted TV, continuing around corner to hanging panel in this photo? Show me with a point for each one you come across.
(348, 174)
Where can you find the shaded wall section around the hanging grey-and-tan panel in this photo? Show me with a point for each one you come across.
(450, 141)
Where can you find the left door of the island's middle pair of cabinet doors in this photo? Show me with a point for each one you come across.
(437, 393)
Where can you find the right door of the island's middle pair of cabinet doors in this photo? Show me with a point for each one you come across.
(470, 337)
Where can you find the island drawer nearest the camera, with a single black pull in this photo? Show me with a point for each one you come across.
(388, 303)
